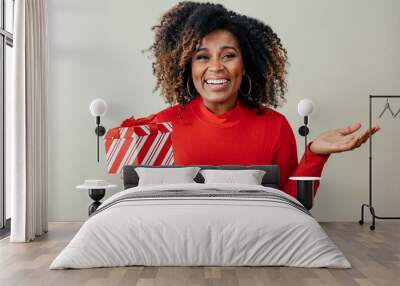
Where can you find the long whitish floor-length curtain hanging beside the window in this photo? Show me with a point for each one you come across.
(28, 122)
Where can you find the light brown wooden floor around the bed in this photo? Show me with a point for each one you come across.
(375, 256)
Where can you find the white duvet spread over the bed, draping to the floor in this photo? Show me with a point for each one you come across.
(200, 231)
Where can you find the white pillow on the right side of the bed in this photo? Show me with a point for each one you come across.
(249, 177)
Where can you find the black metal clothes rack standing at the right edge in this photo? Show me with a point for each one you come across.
(369, 205)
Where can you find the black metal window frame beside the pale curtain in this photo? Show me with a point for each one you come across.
(6, 39)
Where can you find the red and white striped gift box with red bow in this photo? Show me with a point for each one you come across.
(140, 142)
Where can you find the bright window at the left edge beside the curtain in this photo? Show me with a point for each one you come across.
(6, 45)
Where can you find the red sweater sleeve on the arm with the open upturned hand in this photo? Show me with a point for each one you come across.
(285, 155)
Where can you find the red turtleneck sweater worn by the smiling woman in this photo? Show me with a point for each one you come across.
(238, 137)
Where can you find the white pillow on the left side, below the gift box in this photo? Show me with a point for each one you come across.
(162, 176)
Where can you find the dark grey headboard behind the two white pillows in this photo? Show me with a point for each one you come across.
(270, 179)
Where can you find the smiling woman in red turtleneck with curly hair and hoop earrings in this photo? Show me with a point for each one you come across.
(225, 71)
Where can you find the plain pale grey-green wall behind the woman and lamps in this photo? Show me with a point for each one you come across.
(339, 53)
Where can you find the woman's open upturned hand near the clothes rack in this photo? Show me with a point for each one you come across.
(341, 140)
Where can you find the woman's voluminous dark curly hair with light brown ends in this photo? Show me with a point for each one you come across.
(179, 34)
